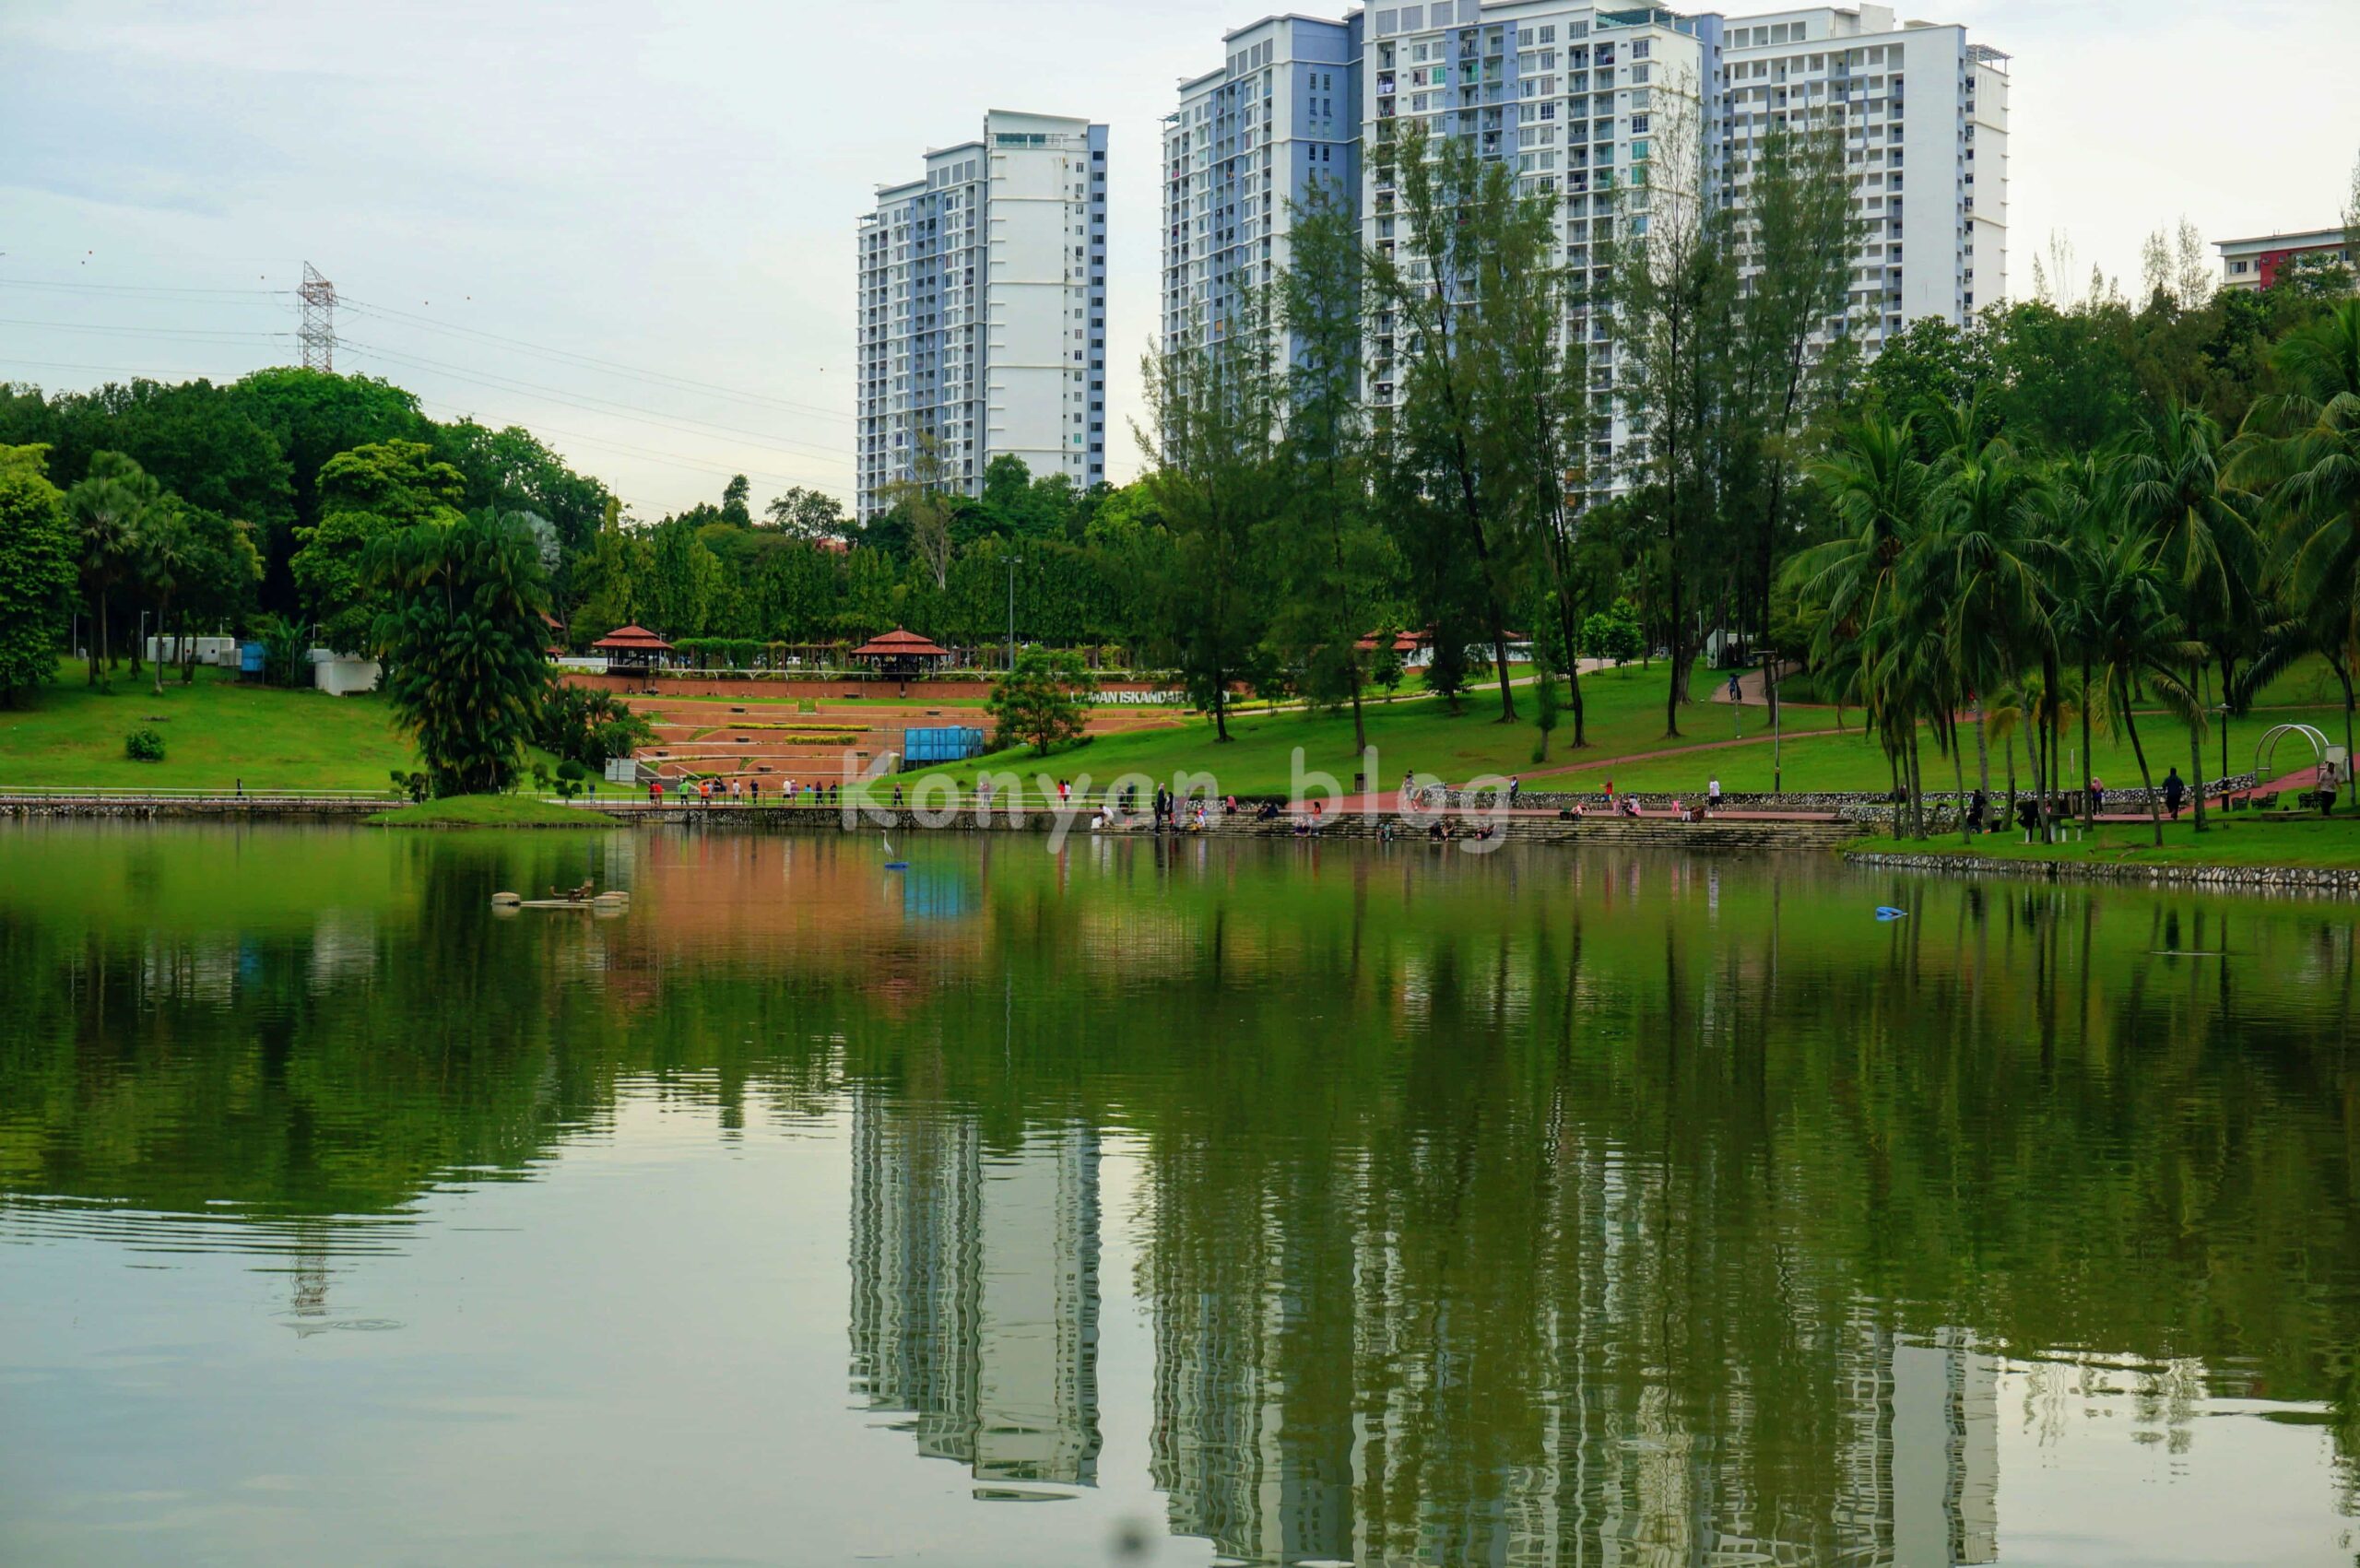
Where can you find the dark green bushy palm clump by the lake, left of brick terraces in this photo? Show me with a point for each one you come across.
(461, 634)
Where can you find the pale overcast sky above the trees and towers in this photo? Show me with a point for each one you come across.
(674, 188)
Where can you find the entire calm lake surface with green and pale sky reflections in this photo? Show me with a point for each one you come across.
(1160, 1203)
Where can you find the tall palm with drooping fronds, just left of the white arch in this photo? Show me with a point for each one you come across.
(2175, 490)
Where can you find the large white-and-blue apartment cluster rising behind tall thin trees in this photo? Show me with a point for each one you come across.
(1582, 100)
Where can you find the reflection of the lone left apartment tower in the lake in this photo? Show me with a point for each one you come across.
(976, 1291)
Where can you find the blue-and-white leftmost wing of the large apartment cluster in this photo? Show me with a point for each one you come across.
(1250, 145)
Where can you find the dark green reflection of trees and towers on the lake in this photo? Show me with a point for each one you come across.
(1660, 1217)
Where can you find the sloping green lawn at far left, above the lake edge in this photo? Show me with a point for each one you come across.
(216, 733)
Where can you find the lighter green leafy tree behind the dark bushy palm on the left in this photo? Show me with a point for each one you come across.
(367, 495)
